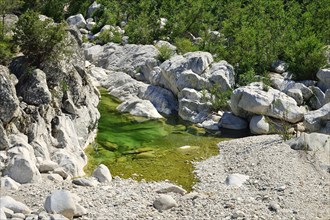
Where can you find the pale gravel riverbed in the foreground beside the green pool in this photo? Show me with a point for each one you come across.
(282, 184)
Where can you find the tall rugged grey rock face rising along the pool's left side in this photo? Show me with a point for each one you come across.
(49, 118)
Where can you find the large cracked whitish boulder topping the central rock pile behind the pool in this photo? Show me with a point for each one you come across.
(195, 70)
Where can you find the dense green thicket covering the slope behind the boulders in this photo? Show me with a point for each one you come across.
(253, 33)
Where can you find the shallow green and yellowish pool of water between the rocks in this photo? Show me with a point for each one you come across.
(134, 147)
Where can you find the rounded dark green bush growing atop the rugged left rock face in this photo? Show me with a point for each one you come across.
(39, 40)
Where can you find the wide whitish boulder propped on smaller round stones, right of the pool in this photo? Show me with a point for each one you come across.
(253, 99)
